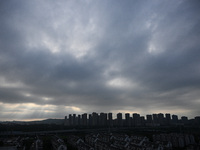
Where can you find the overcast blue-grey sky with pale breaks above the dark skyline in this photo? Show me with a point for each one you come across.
(62, 57)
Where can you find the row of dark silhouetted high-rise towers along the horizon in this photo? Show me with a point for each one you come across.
(134, 120)
